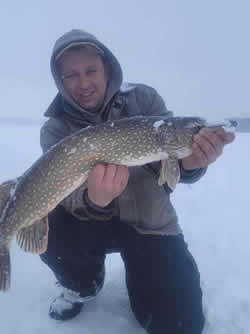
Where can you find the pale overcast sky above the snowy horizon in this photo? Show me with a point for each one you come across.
(195, 53)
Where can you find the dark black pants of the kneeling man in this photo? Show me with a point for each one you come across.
(161, 275)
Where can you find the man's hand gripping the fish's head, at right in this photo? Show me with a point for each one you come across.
(207, 147)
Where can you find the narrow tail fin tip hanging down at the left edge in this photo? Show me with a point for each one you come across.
(5, 269)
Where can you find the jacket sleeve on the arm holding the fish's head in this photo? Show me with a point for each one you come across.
(154, 105)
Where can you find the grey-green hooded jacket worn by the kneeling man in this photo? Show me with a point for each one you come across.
(143, 204)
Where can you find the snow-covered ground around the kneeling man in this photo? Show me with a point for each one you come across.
(214, 214)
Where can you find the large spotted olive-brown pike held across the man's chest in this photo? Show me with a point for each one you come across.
(26, 201)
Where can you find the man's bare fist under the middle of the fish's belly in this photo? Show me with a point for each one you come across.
(106, 182)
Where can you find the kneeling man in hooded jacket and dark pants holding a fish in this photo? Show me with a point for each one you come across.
(120, 209)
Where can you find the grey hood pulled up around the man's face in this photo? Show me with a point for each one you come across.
(63, 100)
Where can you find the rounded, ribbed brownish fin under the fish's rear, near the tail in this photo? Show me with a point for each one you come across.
(34, 238)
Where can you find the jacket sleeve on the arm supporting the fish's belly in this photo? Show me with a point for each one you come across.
(77, 203)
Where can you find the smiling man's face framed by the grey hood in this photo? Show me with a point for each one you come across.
(84, 77)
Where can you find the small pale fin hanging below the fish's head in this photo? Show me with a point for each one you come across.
(170, 172)
